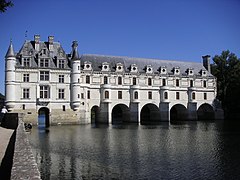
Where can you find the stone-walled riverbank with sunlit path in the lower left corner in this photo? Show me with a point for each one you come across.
(17, 160)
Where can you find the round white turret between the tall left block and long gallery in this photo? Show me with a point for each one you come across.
(75, 77)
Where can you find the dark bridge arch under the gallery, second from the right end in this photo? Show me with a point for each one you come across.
(178, 112)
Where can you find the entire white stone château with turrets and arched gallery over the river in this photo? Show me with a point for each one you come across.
(70, 88)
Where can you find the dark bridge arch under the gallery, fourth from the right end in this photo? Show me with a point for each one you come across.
(120, 114)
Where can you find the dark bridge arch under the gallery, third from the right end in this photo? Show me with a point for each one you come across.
(149, 113)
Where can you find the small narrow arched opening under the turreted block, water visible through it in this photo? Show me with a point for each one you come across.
(43, 117)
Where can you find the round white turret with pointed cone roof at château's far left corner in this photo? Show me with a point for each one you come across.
(10, 63)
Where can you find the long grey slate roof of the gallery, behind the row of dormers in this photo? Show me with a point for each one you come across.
(141, 63)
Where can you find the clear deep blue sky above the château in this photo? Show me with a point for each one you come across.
(163, 29)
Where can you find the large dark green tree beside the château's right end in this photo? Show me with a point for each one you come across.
(226, 68)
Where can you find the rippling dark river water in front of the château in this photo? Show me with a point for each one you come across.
(186, 150)
